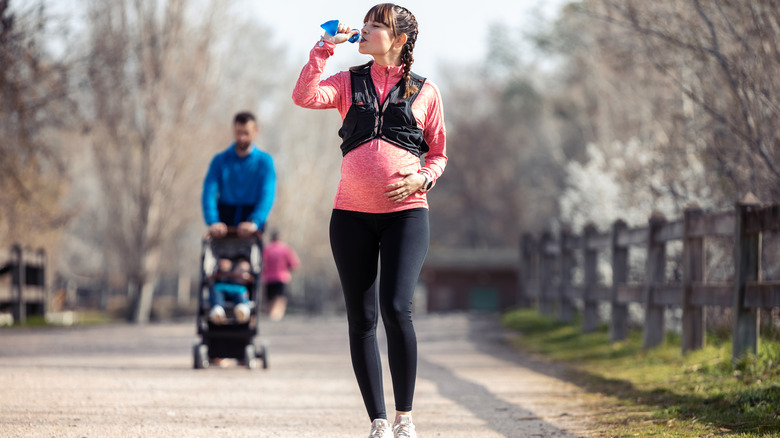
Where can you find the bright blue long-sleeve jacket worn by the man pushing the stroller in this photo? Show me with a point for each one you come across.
(239, 189)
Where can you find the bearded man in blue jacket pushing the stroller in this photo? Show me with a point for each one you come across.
(240, 185)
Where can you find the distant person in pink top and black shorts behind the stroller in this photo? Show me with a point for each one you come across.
(279, 259)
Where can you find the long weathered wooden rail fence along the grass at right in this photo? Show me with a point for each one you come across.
(547, 265)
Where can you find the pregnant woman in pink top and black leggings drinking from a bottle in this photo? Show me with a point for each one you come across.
(394, 150)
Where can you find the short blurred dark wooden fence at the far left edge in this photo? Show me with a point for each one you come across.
(23, 282)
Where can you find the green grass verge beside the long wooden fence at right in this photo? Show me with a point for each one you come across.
(660, 391)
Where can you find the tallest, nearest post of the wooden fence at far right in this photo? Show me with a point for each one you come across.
(747, 262)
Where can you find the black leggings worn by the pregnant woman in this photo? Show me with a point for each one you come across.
(400, 241)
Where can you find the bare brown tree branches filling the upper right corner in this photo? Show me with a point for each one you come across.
(720, 57)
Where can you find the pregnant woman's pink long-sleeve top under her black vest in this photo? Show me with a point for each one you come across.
(368, 169)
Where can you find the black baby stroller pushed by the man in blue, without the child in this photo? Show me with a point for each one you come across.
(231, 339)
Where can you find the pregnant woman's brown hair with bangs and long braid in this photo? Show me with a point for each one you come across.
(401, 21)
